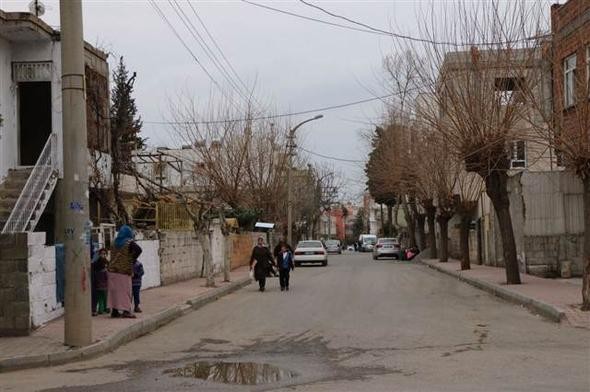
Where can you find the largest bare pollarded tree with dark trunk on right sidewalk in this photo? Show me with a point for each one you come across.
(474, 111)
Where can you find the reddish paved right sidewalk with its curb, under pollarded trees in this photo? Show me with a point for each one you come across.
(556, 299)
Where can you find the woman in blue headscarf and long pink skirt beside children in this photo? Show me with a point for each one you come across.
(125, 251)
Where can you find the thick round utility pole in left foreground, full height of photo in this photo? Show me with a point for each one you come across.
(78, 315)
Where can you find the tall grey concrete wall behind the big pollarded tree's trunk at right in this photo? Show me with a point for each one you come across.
(547, 211)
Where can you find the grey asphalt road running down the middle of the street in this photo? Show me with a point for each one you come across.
(355, 325)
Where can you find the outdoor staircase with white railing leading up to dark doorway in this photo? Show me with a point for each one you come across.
(24, 195)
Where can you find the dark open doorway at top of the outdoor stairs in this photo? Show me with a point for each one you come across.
(34, 108)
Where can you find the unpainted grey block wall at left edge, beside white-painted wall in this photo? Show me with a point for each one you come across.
(15, 317)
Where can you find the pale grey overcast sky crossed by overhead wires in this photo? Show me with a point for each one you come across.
(296, 64)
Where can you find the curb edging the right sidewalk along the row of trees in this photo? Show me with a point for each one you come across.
(544, 309)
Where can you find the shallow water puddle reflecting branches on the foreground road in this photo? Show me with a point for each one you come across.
(242, 373)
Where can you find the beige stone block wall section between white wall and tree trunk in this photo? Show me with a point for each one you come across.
(181, 256)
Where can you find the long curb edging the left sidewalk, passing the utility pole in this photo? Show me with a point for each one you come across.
(114, 341)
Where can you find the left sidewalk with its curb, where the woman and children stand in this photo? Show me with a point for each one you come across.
(160, 305)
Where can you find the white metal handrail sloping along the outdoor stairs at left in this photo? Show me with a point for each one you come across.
(43, 172)
